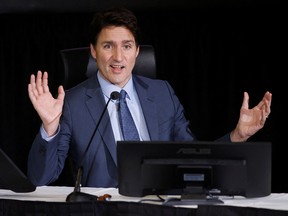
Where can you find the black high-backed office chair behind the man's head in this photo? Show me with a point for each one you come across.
(79, 64)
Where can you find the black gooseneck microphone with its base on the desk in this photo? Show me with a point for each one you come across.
(77, 195)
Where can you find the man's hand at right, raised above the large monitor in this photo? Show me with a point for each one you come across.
(251, 120)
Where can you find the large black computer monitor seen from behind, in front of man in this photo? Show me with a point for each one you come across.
(194, 169)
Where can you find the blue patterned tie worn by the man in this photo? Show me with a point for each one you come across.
(127, 124)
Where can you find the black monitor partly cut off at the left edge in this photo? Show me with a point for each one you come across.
(12, 178)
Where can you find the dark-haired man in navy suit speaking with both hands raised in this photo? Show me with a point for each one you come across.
(69, 120)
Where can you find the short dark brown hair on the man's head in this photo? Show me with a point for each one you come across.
(120, 17)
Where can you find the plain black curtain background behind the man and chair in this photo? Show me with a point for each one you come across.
(210, 52)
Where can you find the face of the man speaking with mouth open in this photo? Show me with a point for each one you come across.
(115, 53)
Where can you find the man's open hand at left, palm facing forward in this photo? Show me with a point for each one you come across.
(48, 108)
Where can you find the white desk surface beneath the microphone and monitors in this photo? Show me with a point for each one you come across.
(275, 201)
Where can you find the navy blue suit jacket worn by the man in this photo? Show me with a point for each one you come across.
(83, 106)
